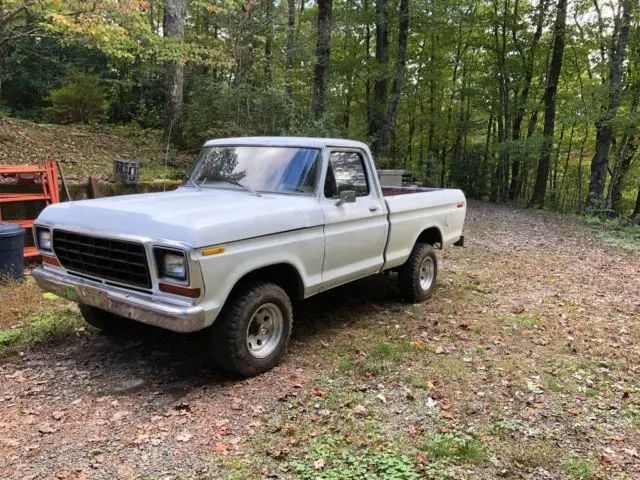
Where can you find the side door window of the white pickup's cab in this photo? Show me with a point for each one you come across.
(346, 172)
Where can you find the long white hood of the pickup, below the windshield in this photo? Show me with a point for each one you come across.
(195, 217)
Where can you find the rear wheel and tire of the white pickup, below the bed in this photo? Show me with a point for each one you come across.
(417, 277)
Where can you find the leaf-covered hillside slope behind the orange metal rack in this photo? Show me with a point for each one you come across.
(84, 151)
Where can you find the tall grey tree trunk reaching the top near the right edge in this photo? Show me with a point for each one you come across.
(604, 127)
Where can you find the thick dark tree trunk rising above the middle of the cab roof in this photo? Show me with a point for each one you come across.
(323, 51)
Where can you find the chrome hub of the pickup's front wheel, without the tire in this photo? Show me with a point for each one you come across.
(265, 330)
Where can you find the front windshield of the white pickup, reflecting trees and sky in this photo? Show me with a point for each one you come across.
(263, 169)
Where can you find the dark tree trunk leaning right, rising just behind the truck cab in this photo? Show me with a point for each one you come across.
(398, 78)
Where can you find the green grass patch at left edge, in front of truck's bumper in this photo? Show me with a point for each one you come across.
(47, 326)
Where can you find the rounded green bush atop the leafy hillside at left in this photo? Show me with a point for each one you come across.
(82, 100)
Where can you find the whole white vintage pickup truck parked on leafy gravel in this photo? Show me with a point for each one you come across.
(259, 222)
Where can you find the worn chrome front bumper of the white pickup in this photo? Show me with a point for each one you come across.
(139, 307)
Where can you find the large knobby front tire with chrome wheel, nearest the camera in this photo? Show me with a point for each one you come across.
(252, 332)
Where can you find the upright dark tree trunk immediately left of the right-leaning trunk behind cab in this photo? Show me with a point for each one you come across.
(382, 82)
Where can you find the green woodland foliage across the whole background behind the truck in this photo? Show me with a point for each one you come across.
(455, 121)
